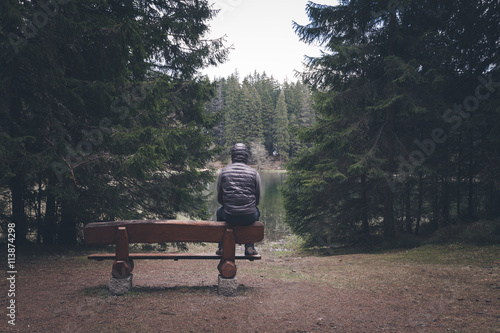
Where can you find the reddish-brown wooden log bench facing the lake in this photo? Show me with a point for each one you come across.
(123, 233)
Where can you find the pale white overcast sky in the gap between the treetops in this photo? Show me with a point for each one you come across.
(262, 36)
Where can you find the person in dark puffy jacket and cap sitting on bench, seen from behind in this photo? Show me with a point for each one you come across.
(238, 191)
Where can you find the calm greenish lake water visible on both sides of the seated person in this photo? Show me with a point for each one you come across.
(272, 213)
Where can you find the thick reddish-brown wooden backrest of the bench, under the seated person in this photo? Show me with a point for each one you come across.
(158, 231)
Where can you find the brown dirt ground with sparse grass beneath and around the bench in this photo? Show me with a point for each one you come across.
(387, 292)
